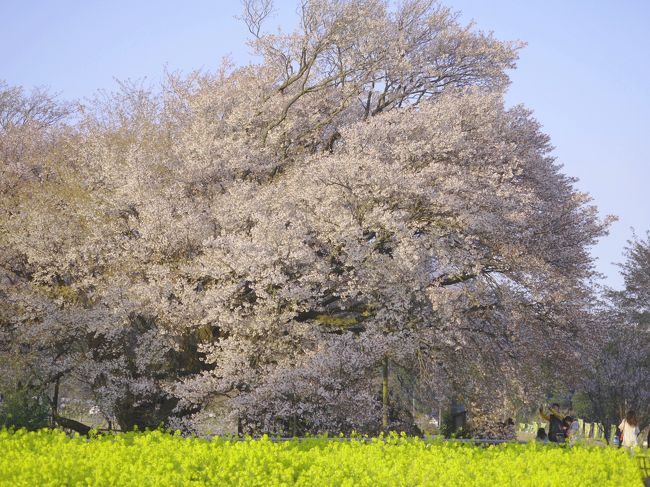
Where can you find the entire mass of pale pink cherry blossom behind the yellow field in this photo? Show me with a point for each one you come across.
(288, 234)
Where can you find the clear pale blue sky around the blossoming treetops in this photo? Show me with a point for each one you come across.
(585, 73)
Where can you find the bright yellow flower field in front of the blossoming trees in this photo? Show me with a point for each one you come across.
(156, 459)
